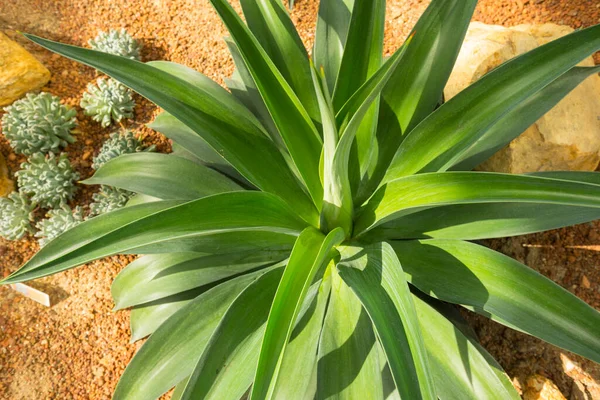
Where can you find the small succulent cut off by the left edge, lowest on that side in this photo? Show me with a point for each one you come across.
(16, 214)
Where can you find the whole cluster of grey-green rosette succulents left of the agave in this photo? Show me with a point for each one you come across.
(39, 126)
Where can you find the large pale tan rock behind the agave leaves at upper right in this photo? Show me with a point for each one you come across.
(568, 136)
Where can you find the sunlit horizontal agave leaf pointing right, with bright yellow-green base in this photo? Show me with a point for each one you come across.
(409, 194)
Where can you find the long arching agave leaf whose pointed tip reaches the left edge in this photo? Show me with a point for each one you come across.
(237, 221)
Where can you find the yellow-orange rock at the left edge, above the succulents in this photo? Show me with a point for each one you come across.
(20, 72)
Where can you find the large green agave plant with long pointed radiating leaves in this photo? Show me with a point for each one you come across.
(323, 265)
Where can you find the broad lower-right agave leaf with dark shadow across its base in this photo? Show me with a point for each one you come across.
(502, 289)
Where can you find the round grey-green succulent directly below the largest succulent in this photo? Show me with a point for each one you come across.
(49, 180)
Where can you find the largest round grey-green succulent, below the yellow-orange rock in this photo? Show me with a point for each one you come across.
(38, 123)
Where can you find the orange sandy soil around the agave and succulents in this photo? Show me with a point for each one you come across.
(78, 348)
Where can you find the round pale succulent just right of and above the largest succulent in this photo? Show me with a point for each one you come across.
(107, 100)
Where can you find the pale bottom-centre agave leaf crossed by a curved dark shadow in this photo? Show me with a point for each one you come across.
(349, 366)
